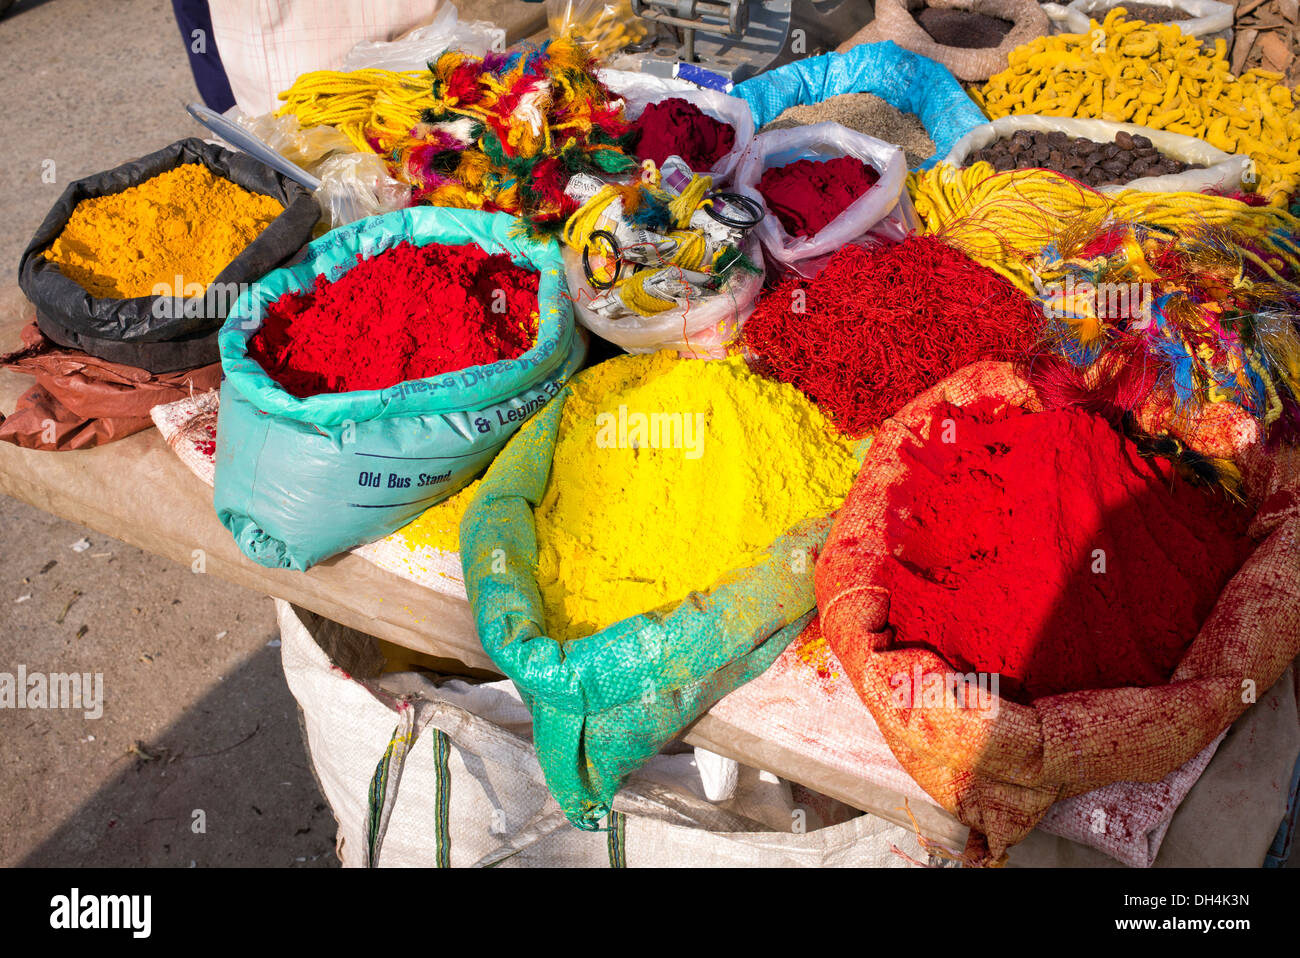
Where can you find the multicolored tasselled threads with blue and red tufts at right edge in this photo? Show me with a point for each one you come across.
(1199, 314)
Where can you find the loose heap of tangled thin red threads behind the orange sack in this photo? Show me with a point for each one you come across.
(879, 327)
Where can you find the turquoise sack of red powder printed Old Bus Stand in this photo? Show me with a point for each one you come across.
(353, 432)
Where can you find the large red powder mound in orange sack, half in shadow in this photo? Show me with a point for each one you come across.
(1045, 549)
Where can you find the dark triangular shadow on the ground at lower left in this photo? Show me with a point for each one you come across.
(172, 804)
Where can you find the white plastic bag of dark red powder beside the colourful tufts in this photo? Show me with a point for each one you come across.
(684, 120)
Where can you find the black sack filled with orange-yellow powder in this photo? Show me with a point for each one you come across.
(140, 265)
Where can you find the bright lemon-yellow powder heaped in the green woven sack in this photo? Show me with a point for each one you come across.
(623, 531)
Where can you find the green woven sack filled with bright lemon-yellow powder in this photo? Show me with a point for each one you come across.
(642, 548)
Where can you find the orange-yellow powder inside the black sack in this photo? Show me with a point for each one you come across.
(187, 223)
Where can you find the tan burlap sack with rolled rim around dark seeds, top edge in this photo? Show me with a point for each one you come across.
(896, 20)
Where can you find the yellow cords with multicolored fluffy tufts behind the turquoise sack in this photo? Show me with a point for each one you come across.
(501, 133)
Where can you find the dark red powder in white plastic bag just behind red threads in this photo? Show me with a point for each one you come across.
(807, 196)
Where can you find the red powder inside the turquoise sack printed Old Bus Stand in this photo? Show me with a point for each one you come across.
(406, 314)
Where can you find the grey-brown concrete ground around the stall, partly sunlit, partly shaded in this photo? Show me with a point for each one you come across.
(197, 760)
